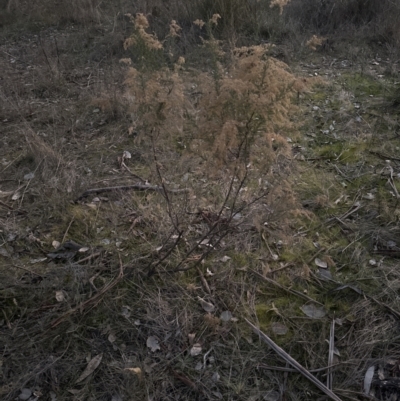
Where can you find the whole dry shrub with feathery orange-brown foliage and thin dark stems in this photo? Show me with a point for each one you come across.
(228, 121)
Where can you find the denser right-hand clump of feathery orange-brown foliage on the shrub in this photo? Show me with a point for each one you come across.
(253, 99)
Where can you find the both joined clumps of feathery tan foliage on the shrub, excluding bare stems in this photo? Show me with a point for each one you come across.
(252, 98)
